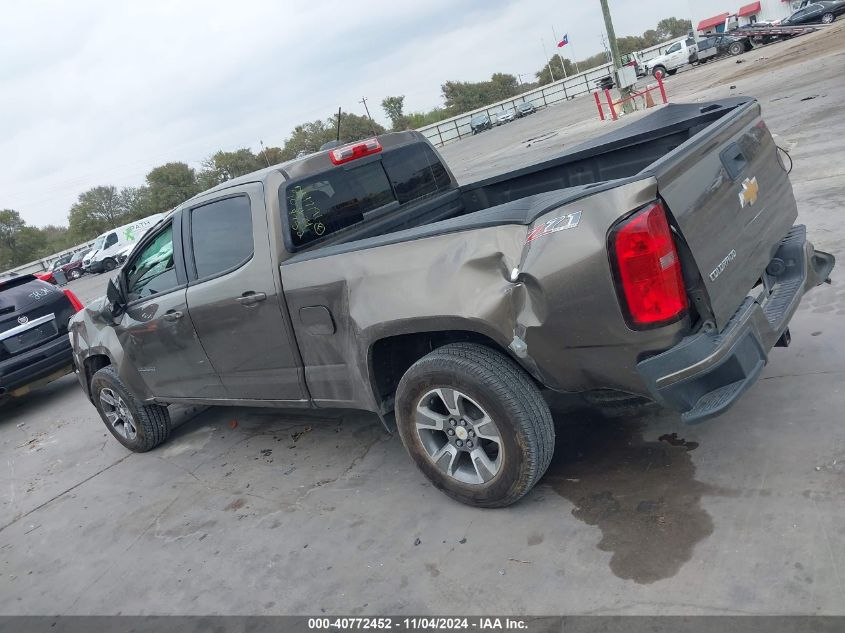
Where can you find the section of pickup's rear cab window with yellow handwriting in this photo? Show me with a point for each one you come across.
(327, 203)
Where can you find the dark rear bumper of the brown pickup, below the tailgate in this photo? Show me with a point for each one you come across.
(704, 374)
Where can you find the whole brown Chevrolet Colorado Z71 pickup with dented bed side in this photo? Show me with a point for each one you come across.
(386, 286)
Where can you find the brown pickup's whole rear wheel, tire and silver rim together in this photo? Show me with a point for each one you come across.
(479, 382)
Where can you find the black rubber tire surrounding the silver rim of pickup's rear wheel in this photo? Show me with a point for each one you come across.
(507, 394)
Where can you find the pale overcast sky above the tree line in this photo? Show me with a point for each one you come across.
(99, 92)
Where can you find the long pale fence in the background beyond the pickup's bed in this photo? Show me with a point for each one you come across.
(457, 127)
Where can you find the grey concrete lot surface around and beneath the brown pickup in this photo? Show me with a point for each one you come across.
(278, 512)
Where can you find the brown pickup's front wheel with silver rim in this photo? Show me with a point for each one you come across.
(148, 425)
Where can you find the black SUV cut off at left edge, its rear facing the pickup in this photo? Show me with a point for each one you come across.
(34, 346)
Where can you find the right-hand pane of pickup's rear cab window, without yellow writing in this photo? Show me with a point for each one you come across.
(415, 172)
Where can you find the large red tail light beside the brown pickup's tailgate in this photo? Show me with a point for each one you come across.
(648, 269)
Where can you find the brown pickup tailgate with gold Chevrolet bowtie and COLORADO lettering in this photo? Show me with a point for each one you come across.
(732, 201)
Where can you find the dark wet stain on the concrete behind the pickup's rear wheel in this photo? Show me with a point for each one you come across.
(641, 494)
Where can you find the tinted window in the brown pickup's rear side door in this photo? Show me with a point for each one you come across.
(221, 235)
